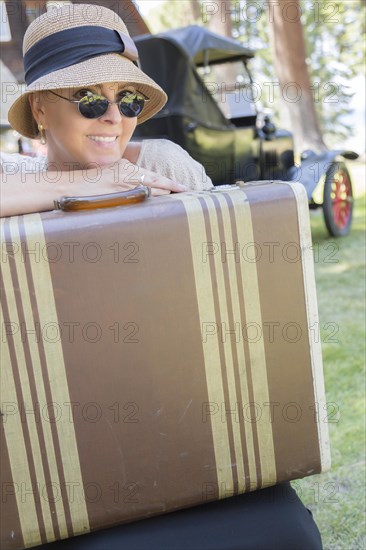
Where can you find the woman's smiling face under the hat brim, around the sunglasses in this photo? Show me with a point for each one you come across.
(77, 142)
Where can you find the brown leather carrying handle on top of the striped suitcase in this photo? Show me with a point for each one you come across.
(72, 204)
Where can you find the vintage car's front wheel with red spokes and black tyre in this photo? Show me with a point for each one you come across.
(338, 200)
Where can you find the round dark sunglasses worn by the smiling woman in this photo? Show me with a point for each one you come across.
(93, 105)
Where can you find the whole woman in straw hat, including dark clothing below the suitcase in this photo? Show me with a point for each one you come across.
(84, 97)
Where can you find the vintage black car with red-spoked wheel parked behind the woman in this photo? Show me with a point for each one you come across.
(211, 112)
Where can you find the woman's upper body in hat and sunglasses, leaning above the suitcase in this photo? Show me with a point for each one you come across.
(84, 97)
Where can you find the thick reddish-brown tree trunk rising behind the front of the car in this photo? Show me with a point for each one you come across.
(287, 39)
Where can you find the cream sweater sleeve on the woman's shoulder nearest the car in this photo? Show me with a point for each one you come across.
(171, 160)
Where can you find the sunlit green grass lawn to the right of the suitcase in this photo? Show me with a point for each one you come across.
(337, 498)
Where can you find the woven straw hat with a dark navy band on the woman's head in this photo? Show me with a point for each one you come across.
(79, 55)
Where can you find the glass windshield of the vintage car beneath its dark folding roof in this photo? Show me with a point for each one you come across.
(229, 84)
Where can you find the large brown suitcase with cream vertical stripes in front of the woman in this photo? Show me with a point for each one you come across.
(156, 356)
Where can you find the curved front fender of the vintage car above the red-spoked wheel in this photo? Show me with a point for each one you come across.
(313, 168)
